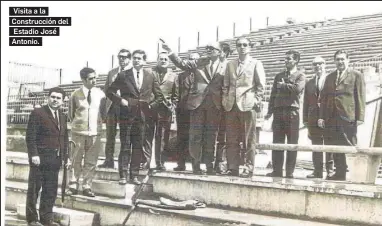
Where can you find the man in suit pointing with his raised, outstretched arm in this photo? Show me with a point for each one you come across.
(204, 103)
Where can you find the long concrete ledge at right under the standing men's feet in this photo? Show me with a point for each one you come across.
(323, 200)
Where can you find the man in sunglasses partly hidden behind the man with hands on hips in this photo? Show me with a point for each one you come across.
(112, 109)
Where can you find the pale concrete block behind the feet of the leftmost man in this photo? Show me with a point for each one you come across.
(66, 217)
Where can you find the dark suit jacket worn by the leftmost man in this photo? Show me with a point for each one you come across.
(43, 132)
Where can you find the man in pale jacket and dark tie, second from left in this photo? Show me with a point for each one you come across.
(86, 111)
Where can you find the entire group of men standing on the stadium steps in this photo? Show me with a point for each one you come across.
(216, 103)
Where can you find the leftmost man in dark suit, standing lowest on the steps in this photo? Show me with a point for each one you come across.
(47, 143)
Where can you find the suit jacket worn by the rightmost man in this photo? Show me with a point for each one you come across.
(348, 98)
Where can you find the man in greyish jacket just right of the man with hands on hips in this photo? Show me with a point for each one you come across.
(163, 113)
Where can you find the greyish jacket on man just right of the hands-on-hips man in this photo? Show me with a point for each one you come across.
(167, 86)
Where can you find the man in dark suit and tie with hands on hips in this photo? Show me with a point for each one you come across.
(136, 86)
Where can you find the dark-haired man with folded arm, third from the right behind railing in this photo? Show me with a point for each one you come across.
(284, 104)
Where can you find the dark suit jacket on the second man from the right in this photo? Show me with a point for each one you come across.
(311, 108)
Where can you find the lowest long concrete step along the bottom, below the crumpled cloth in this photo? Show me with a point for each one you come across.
(113, 211)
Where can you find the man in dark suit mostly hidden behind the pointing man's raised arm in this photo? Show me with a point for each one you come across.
(182, 84)
